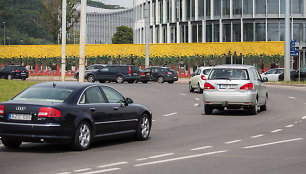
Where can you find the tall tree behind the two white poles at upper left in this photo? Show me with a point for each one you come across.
(51, 16)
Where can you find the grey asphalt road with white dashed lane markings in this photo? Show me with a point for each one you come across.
(184, 140)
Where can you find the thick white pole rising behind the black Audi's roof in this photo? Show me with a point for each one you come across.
(82, 41)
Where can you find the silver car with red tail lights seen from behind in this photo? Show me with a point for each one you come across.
(235, 87)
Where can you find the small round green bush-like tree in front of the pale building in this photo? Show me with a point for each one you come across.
(124, 35)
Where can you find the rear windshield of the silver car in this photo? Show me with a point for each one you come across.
(229, 74)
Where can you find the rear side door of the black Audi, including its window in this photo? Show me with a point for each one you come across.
(94, 102)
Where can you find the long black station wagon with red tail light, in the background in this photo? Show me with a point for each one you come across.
(115, 73)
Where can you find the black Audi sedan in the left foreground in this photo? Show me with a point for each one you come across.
(71, 112)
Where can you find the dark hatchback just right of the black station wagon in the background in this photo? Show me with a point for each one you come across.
(163, 74)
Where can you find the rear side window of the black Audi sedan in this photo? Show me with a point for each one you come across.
(92, 95)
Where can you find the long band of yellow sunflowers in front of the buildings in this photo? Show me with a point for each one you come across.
(114, 50)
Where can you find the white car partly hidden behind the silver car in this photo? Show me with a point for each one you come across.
(198, 79)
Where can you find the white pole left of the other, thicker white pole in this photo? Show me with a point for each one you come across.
(64, 4)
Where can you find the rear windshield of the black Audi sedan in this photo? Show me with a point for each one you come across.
(44, 94)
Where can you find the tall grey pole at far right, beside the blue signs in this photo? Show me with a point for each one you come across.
(287, 42)
